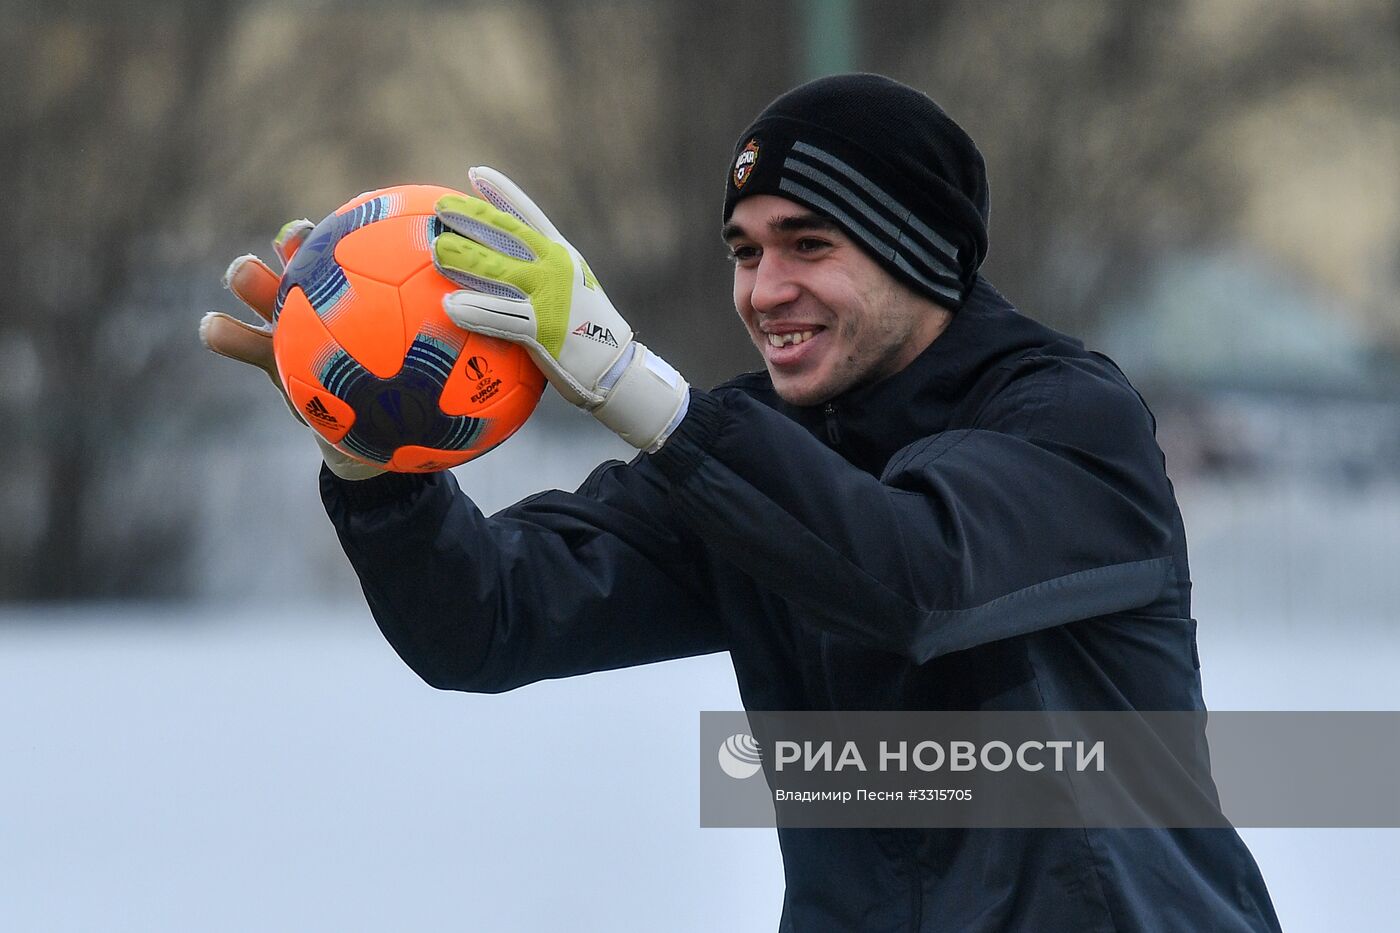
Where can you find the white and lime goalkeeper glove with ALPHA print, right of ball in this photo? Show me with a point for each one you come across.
(523, 282)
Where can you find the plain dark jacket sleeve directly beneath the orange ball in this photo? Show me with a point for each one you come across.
(555, 586)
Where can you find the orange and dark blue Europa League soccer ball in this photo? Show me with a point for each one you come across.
(369, 357)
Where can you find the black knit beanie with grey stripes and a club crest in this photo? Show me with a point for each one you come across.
(887, 165)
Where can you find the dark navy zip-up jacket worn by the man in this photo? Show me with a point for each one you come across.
(989, 529)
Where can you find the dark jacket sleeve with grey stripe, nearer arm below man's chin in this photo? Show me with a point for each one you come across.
(1052, 509)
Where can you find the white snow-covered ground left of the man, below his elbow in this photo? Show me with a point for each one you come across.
(283, 771)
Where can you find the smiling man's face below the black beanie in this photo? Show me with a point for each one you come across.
(820, 310)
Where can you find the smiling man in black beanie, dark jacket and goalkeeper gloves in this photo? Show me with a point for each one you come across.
(925, 502)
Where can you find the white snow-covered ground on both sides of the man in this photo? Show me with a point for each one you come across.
(278, 768)
